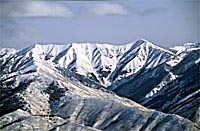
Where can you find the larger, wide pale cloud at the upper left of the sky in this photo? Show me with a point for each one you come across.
(34, 9)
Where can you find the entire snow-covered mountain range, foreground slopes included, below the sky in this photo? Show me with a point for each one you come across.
(79, 86)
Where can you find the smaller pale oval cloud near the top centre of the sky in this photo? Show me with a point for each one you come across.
(109, 9)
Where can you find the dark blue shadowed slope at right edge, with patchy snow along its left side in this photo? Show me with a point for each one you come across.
(179, 90)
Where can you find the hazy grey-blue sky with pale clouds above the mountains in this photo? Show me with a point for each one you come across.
(164, 22)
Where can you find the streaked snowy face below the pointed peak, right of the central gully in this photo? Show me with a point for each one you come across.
(140, 58)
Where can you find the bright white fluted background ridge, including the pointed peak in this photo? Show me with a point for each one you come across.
(102, 62)
